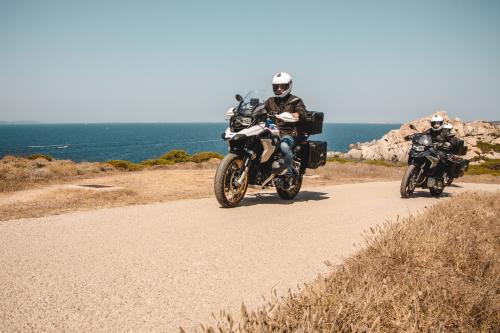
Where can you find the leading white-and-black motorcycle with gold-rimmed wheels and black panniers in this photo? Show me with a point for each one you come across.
(255, 156)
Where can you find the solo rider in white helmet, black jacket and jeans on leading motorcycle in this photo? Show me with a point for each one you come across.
(284, 101)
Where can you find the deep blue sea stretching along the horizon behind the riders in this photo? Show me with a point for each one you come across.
(140, 141)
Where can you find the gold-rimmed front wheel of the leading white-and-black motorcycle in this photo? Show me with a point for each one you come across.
(228, 190)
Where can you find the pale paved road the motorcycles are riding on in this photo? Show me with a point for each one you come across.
(156, 267)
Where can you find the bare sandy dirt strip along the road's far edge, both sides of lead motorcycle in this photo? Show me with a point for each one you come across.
(161, 185)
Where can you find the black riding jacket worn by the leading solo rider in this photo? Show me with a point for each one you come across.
(292, 104)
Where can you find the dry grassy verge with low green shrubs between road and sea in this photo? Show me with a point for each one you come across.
(42, 193)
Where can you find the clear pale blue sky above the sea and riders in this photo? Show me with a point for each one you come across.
(169, 61)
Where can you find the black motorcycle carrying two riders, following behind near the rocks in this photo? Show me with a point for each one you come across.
(429, 166)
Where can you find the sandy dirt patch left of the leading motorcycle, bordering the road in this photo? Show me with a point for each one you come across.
(125, 188)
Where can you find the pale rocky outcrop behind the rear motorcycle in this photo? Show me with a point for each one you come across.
(393, 147)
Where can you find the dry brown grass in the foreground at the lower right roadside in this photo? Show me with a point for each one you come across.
(437, 272)
